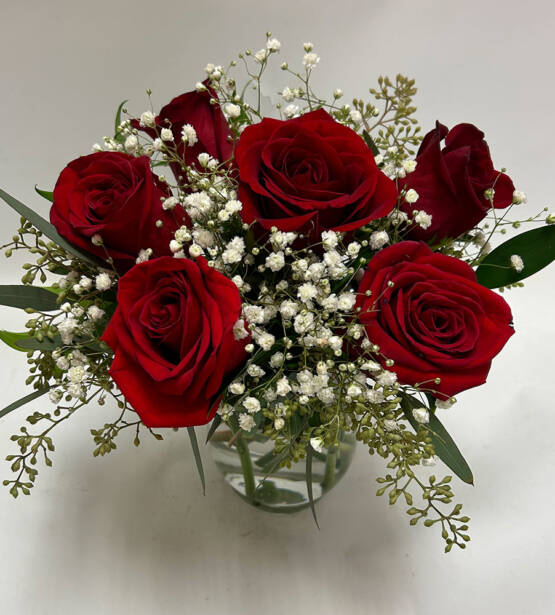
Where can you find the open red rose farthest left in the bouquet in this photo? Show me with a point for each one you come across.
(116, 196)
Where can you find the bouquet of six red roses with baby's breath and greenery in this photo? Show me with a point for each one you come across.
(295, 278)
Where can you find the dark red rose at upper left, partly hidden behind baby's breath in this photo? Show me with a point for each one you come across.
(194, 108)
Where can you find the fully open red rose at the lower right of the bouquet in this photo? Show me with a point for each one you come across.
(435, 320)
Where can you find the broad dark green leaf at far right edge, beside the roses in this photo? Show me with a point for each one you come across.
(535, 247)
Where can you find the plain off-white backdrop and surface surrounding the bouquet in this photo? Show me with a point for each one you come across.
(131, 533)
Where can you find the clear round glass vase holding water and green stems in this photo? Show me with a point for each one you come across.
(247, 466)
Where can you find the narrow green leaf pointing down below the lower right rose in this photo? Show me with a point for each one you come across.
(443, 444)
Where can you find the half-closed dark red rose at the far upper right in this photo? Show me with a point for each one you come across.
(451, 181)
